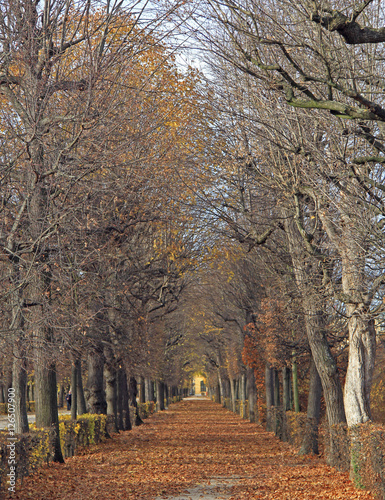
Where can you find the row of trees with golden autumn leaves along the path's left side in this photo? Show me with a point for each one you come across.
(98, 131)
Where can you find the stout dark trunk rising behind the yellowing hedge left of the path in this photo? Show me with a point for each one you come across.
(95, 396)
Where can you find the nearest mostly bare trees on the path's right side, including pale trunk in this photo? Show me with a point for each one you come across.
(301, 92)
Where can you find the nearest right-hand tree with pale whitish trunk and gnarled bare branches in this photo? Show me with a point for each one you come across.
(328, 68)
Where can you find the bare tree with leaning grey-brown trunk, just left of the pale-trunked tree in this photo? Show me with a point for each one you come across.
(263, 199)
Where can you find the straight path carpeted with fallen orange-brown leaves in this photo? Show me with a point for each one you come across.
(195, 450)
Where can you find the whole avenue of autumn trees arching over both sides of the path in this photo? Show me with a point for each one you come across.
(157, 222)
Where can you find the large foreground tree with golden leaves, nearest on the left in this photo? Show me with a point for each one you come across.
(62, 86)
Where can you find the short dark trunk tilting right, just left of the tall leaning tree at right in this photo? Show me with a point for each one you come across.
(310, 438)
